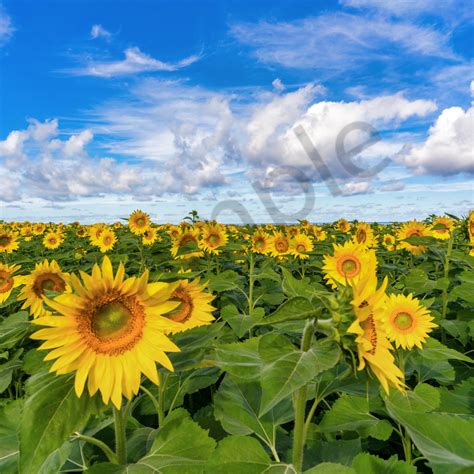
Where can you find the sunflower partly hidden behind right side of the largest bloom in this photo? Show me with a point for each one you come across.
(194, 308)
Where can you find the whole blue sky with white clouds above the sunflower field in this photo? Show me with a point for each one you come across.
(266, 111)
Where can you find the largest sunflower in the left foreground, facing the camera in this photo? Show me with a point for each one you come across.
(109, 331)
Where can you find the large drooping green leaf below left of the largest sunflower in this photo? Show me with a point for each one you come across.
(51, 413)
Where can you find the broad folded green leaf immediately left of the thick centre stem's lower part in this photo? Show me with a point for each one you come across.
(236, 405)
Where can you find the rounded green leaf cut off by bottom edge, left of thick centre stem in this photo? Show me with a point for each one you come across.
(243, 454)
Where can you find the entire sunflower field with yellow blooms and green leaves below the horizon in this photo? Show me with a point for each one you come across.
(134, 347)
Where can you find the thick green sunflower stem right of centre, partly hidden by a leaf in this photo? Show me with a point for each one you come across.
(300, 405)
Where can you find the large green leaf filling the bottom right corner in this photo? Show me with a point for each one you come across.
(446, 440)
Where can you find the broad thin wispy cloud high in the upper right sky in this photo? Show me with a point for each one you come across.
(339, 41)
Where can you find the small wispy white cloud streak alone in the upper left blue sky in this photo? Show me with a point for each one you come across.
(135, 62)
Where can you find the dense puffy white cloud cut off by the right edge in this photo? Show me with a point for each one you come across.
(449, 147)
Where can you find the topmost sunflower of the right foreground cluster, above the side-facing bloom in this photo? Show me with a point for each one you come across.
(350, 263)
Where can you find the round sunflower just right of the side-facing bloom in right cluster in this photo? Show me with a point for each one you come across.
(406, 321)
